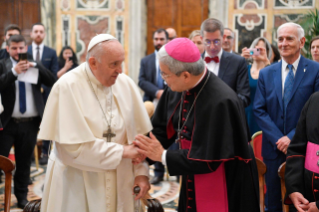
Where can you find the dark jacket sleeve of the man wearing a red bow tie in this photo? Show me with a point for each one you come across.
(242, 87)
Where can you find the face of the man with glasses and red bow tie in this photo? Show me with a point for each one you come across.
(213, 42)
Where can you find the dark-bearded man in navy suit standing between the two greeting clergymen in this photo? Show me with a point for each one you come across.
(151, 82)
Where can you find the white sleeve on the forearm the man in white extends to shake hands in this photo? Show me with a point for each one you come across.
(96, 156)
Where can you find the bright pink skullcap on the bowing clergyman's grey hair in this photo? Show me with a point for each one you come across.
(183, 49)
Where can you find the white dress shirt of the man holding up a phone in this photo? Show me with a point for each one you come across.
(31, 110)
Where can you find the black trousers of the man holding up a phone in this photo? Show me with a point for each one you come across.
(23, 135)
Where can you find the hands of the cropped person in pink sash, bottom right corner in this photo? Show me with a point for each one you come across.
(302, 204)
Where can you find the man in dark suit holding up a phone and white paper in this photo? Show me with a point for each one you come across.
(23, 109)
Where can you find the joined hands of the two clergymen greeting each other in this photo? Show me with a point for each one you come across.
(143, 147)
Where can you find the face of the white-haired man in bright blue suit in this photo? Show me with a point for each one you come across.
(289, 44)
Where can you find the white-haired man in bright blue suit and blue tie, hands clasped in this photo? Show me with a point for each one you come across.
(282, 91)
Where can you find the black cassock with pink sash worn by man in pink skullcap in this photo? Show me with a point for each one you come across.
(217, 168)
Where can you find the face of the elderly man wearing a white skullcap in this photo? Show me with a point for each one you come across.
(109, 67)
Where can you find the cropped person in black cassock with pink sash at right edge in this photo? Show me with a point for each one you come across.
(302, 165)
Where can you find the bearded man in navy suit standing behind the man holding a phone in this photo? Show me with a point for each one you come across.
(48, 58)
